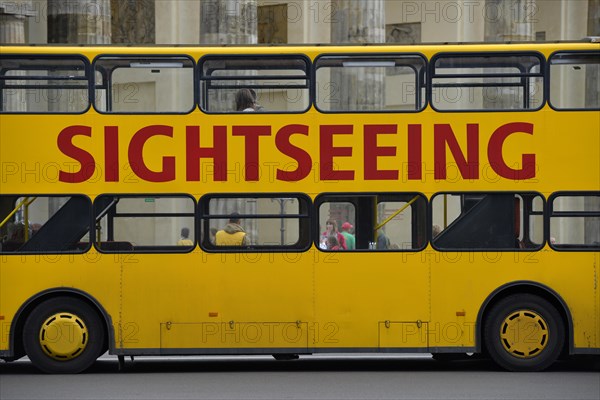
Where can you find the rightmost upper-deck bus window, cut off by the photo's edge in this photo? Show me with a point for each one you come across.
(575, 81)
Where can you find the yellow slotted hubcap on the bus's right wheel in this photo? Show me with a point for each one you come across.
(524, 334)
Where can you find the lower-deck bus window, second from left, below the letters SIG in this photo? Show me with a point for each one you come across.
(145, 223)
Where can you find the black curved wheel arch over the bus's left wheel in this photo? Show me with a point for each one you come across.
(16, 348)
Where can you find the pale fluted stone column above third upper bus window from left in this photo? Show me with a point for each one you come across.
(228, 22)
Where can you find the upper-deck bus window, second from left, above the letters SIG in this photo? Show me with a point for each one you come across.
(148, 84)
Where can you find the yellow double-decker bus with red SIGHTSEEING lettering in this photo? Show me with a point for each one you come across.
(438, 199)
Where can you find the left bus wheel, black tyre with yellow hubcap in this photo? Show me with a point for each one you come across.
(63, 335)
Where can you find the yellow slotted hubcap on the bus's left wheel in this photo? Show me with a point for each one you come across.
(63, 336)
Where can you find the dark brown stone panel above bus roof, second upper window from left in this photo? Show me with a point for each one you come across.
(132, 21)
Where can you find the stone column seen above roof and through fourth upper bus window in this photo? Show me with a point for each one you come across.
(358, 22)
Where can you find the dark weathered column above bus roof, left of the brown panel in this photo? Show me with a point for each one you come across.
(79, 22)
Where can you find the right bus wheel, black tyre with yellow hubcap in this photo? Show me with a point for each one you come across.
(524, 332)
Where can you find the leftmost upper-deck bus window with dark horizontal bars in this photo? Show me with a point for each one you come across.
(41, 84)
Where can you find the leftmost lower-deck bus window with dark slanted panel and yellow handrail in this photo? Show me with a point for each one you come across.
(44, 224)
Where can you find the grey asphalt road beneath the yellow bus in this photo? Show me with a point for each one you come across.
(310, 377)
